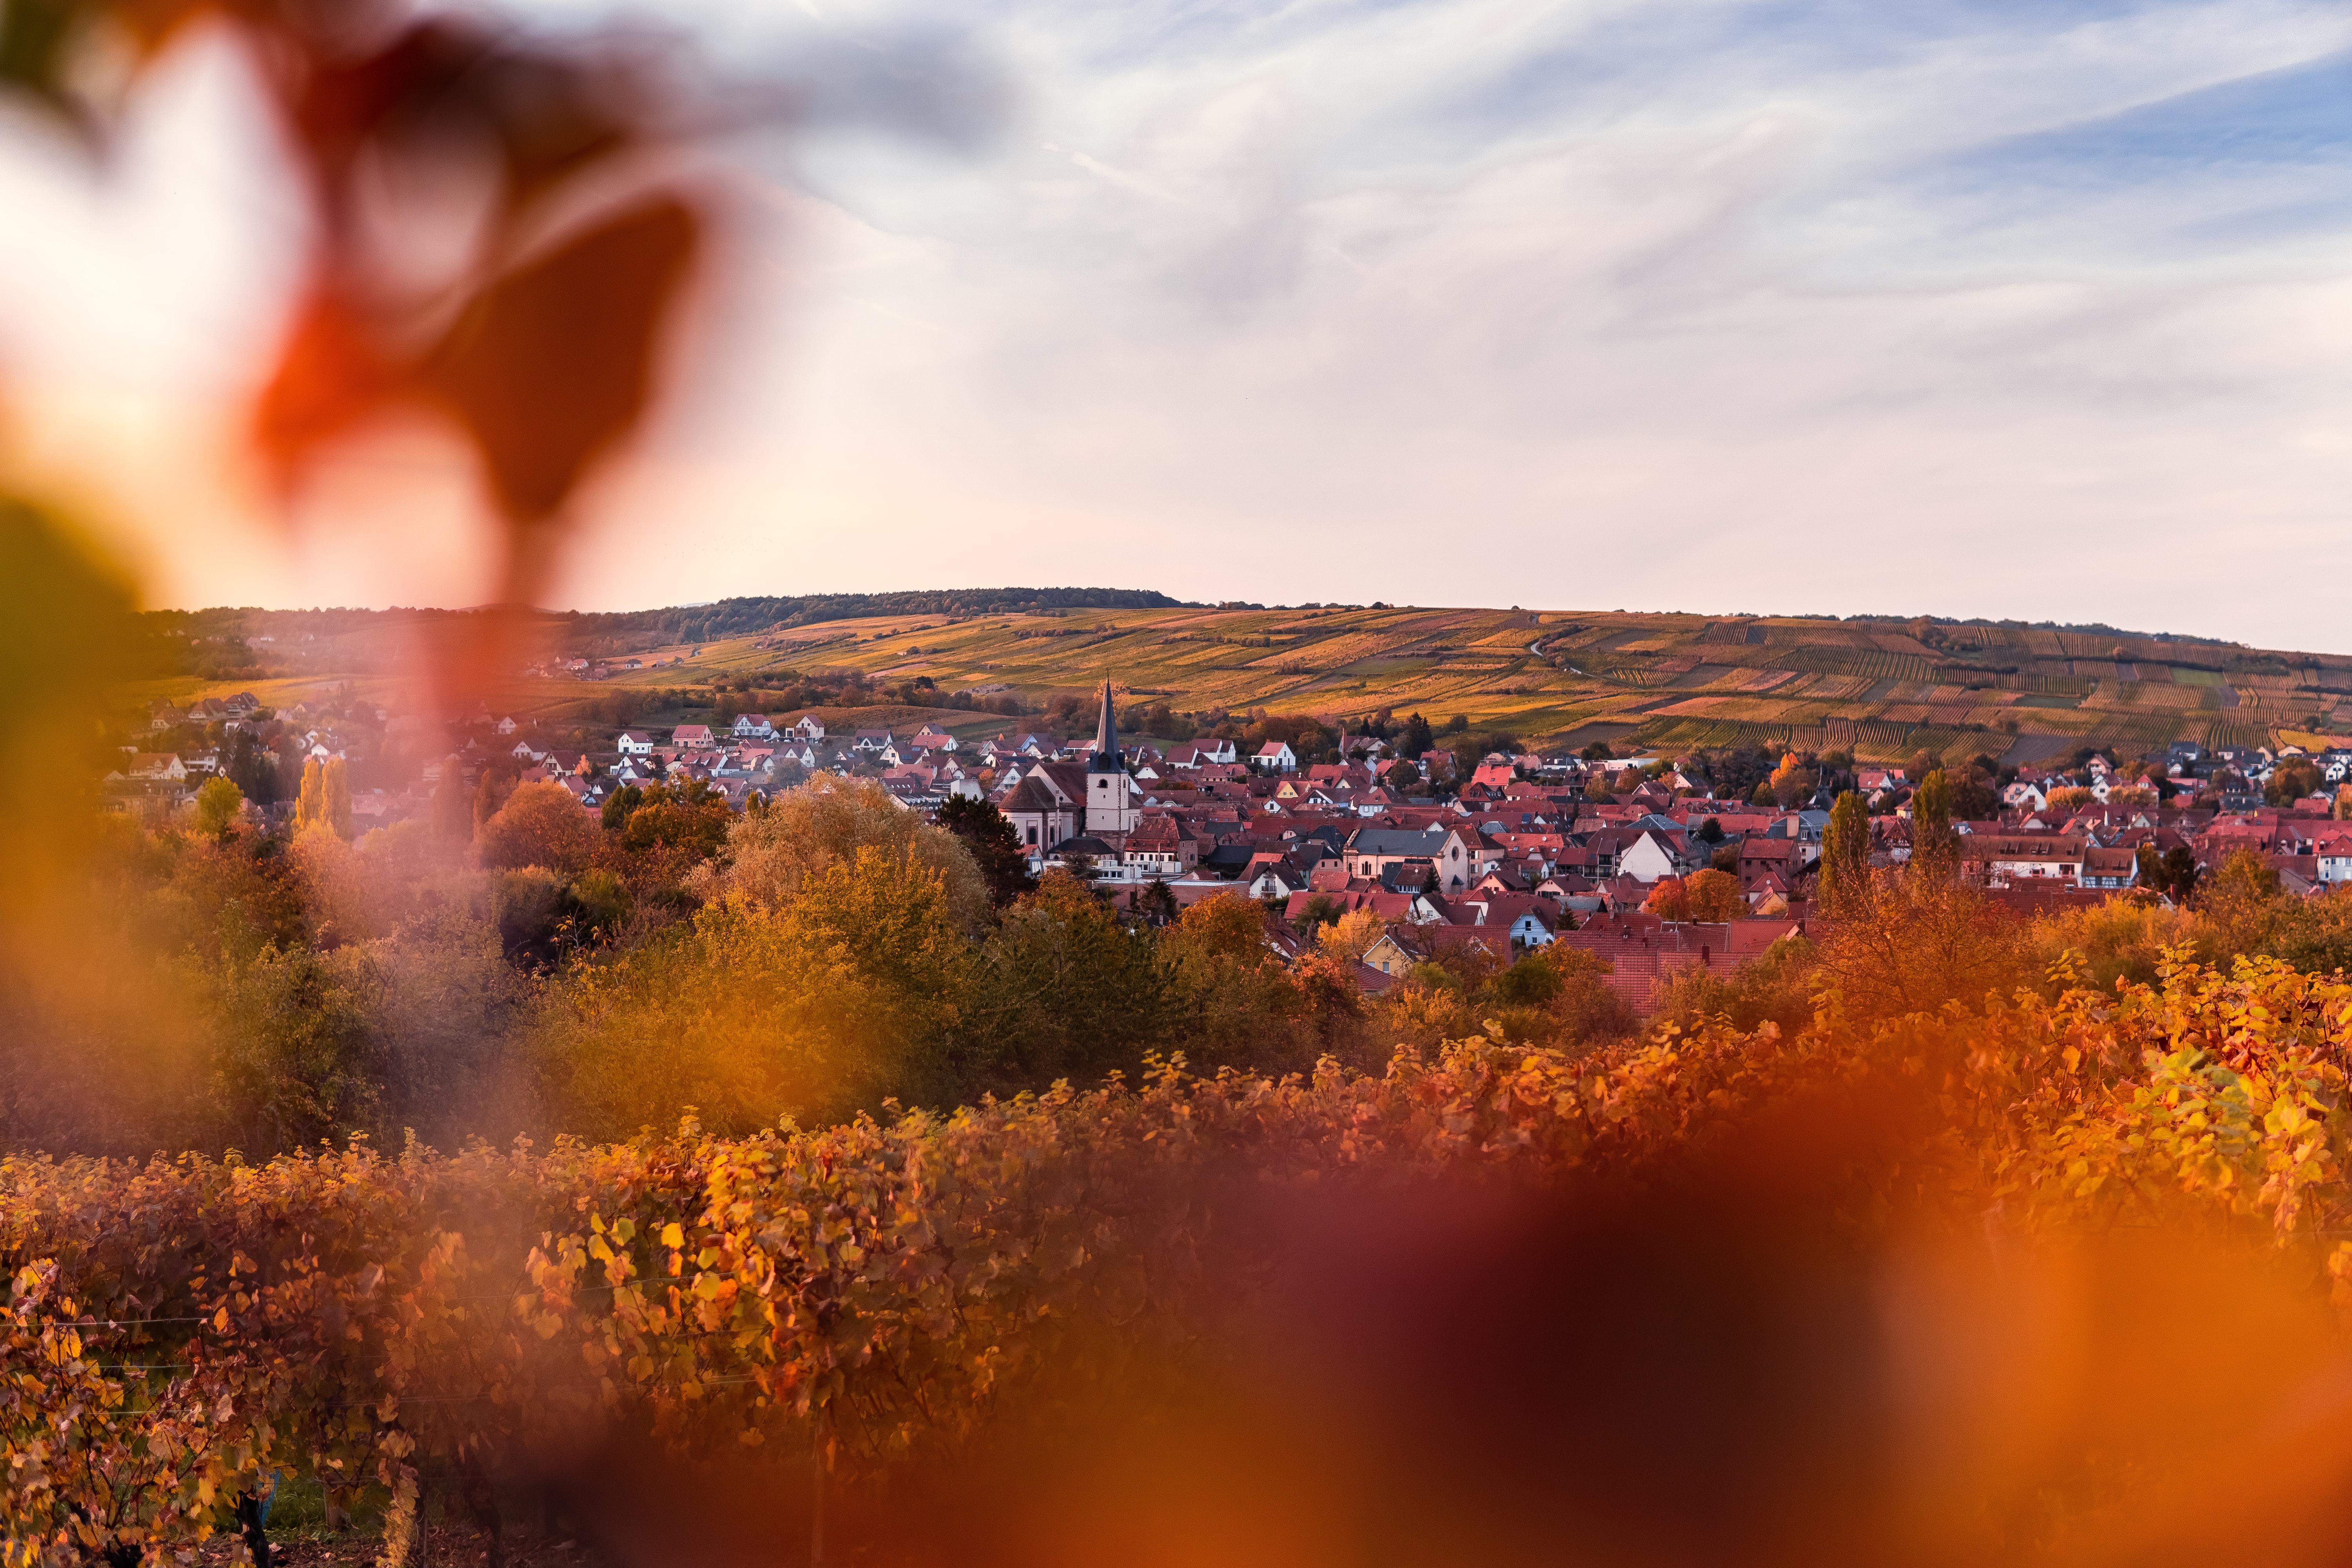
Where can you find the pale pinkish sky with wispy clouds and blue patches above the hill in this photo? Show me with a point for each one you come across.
(1770, 307)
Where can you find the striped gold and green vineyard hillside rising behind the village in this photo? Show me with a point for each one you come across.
(1638, 681)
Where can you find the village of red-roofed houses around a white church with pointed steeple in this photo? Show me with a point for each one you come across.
(1636, 859)
